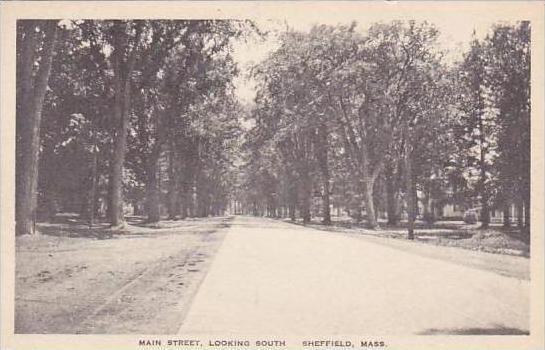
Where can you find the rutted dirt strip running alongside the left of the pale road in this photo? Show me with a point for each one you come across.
(139, 282)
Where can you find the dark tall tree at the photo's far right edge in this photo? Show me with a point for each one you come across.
(509, 73)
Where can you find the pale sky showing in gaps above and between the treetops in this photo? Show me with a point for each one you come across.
(455, 35)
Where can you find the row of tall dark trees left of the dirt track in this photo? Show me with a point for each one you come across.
(120, 112)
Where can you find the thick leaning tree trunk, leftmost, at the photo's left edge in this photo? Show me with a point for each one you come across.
(29, 115)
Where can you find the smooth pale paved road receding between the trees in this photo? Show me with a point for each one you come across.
(275, 278)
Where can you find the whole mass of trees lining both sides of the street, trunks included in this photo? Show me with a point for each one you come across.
(142, 117)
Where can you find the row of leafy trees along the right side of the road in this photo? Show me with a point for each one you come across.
(380, 122)
